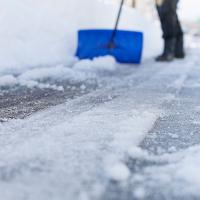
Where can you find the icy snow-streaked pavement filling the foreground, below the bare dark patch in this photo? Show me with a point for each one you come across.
(135, 137)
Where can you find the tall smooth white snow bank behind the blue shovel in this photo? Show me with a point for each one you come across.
(43, 33)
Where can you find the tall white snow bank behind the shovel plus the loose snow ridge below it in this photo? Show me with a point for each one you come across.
(38, 42)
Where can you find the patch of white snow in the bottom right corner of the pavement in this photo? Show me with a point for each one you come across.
(180, 171)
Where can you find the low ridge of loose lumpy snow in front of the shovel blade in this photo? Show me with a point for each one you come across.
(80, 71)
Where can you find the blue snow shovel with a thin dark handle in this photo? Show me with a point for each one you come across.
(125, 46)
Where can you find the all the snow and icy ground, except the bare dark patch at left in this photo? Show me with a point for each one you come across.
(136, 136)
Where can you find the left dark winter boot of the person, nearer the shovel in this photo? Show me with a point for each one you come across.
(168, 54)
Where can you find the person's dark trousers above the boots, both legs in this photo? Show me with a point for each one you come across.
(169, 19)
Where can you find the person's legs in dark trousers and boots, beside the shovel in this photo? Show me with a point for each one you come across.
(172, 32)
